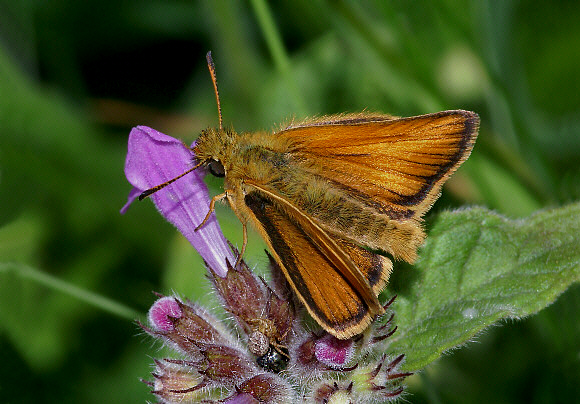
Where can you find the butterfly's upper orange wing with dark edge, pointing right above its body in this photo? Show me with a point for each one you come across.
(393, 165)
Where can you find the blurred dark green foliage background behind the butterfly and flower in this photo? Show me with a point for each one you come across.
(75, 76)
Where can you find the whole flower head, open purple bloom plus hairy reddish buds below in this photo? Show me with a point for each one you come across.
(273, 357)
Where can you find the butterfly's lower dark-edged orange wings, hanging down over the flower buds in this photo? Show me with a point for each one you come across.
(328, 295)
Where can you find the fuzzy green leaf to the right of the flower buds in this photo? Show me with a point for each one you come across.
(477, 268)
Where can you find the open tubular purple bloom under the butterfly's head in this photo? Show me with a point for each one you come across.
(154, 158)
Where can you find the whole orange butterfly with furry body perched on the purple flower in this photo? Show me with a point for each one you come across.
(336, 197)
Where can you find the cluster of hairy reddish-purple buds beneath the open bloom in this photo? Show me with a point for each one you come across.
(217, 365)
